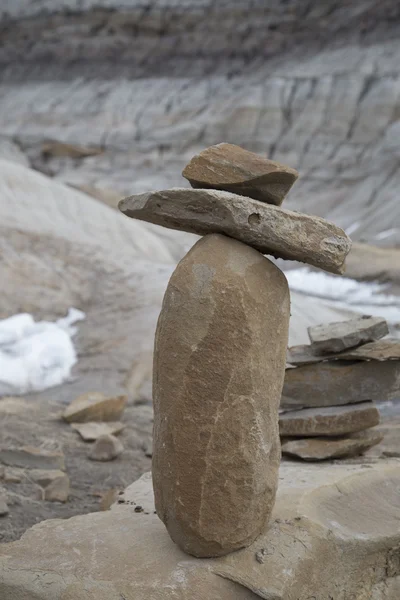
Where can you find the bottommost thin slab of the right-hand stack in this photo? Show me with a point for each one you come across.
(324, 448)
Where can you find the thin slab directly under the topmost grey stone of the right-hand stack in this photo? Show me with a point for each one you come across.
(379, 350)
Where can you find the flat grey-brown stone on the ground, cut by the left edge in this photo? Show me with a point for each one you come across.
(29, 457)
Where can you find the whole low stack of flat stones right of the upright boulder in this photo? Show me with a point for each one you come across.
(329, 395)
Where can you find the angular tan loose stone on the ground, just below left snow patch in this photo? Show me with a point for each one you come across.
(95, 406)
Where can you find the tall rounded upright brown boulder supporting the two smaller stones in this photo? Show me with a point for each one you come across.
(219, 363)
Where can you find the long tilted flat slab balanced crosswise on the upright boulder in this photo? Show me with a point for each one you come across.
(269, 229)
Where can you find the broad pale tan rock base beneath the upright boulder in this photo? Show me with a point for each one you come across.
(332, 529)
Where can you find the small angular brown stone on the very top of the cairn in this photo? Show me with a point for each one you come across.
(233, 169)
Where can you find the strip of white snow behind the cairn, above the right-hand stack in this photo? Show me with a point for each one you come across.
(358, 296)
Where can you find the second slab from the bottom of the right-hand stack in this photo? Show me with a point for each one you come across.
(329, 420)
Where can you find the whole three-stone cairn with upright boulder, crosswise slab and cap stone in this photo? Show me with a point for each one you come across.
(220, 344)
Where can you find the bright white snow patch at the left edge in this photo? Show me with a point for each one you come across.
(35, 356)
